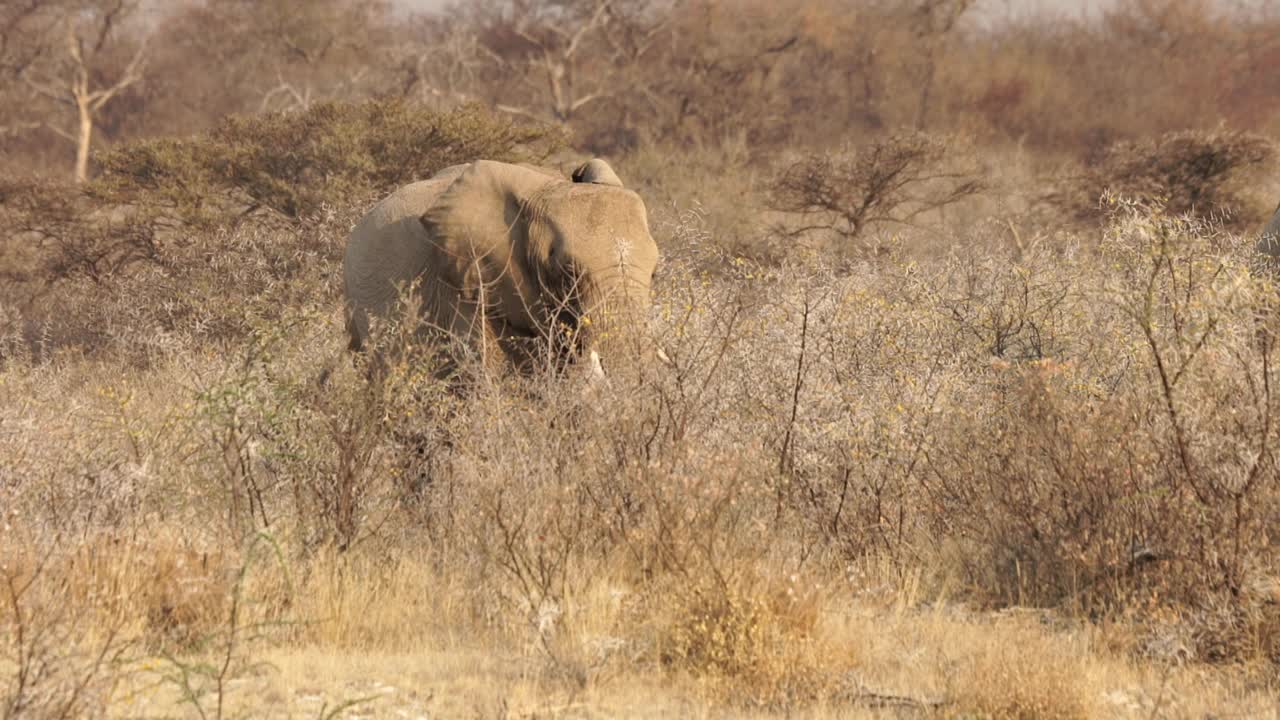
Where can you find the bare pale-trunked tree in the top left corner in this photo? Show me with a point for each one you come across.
(80, 78)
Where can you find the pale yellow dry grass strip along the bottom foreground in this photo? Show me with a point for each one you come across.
(396, 642)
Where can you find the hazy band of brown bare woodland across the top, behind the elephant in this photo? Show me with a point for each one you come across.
(1063, 78)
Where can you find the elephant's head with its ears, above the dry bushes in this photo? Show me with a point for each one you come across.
(569, 263)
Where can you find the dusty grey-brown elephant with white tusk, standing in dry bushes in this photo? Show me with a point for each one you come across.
(522, 265)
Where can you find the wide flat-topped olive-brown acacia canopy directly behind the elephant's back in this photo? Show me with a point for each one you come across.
(296, 163)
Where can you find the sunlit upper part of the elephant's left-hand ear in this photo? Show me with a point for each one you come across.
(483, 207)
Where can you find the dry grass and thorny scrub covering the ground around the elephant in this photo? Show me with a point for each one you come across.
(833, 505)
